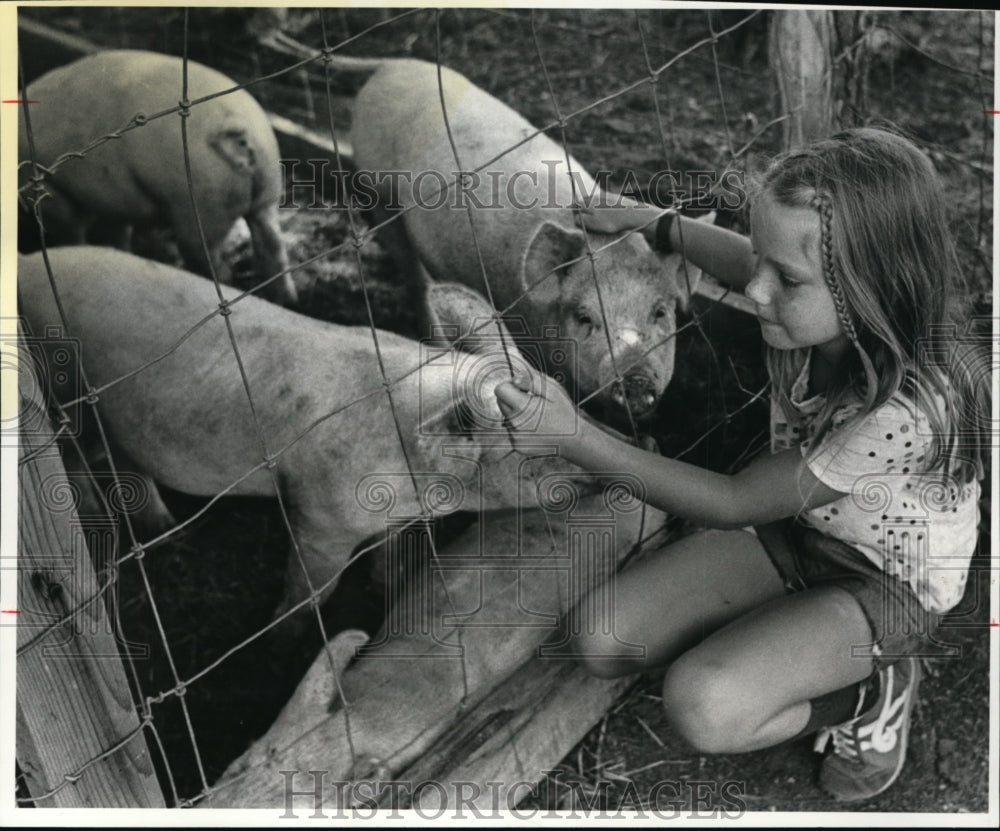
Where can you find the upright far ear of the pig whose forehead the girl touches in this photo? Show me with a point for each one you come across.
(462, 317)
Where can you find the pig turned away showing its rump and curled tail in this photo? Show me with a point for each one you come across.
(140, 178)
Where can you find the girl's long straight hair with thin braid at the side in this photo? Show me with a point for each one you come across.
(891, 266)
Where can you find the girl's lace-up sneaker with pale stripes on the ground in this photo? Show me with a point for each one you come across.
(869, 750)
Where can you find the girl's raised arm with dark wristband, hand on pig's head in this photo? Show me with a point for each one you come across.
(724, 254)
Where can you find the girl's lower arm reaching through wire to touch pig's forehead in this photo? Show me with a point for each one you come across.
(769, 488)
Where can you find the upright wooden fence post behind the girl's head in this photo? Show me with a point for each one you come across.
(799, 54)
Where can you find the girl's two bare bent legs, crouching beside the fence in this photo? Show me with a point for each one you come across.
(747, 657)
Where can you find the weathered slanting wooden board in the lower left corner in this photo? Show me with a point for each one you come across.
(78, 738)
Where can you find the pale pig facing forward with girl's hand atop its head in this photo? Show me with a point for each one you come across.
(533, 256)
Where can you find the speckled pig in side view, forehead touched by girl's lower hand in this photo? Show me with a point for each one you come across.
(171, 399)
